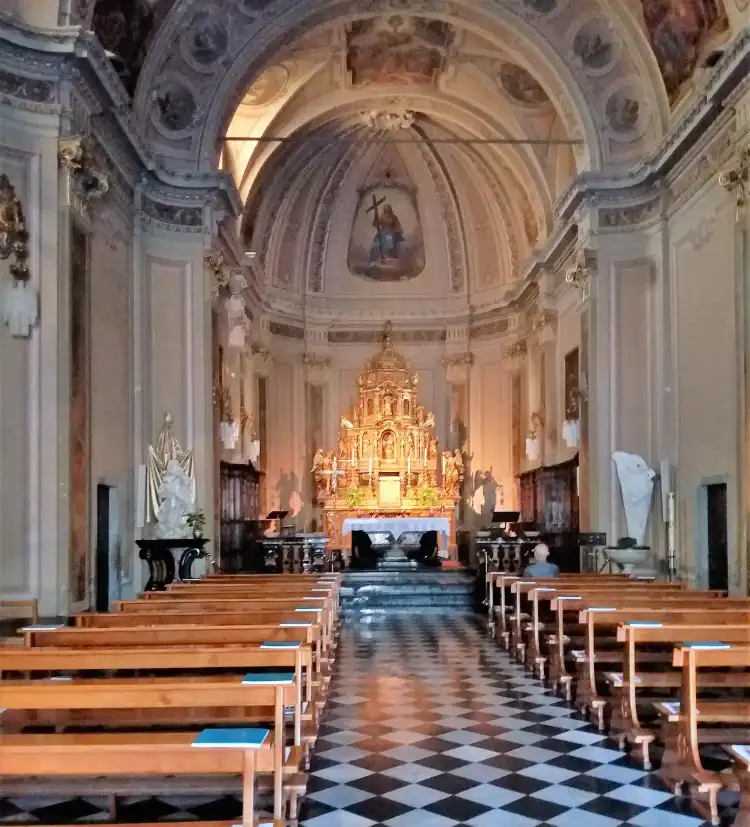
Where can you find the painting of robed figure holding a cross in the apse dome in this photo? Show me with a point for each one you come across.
(386, 241)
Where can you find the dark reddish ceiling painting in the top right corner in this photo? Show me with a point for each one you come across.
(679, 31)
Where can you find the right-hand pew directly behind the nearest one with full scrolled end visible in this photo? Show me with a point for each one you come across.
(600, 620)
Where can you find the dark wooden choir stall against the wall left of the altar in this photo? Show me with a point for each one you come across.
(239, 517)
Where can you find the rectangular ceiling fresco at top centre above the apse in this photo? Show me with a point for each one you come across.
(397, 50)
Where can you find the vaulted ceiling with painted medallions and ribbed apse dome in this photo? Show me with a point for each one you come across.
(492, 105)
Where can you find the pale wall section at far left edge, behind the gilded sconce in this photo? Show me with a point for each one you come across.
(33, 390)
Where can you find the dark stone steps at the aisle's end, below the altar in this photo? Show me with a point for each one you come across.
(423, 590)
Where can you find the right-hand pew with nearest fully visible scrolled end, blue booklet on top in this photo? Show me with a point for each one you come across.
(626, 721)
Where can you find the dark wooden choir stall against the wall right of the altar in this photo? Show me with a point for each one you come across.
(548, 497)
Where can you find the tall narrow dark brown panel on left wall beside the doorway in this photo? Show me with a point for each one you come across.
(79, 416)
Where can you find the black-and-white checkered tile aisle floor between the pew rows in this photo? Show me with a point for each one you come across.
(430, 725)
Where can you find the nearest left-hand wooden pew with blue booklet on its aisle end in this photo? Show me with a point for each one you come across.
(135, 754)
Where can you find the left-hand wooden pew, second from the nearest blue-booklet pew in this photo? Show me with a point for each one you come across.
(155, 700)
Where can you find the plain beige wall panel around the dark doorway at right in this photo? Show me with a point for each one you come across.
(708, 287)
